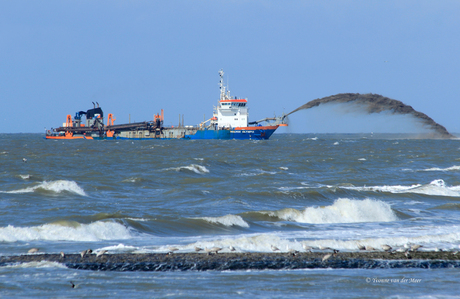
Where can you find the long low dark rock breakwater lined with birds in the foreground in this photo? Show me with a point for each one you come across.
(244, 261)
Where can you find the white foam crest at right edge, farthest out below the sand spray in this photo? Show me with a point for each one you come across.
(436, 187)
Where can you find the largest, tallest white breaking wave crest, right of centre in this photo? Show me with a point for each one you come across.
(343, 210)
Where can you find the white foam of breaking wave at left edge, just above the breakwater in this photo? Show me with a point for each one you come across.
(96, 231)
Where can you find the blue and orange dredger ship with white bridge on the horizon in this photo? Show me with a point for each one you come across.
(229, 121)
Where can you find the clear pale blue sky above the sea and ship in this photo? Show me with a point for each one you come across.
(137, 57)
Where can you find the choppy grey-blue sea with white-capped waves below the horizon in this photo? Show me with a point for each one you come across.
(144, 196)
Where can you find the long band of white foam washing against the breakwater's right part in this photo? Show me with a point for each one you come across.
(445, 237)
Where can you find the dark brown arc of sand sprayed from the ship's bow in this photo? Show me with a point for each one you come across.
(375, 103)
